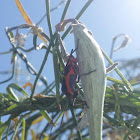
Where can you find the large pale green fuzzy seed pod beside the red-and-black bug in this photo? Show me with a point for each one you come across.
(90, 58)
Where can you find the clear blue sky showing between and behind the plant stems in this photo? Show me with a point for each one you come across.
(104, 19)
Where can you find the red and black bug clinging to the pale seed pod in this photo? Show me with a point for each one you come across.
(71, 74)
